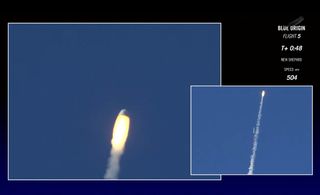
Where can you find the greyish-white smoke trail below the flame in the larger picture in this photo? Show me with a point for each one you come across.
(113, 164)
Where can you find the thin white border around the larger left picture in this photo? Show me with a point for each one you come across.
(100, 23)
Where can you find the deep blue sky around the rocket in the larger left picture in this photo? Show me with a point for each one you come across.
(68, 83)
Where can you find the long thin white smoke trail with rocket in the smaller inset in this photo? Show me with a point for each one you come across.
(256, 136)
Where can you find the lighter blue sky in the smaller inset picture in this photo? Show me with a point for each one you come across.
(223, 119)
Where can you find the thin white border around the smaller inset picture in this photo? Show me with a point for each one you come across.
(257, 86)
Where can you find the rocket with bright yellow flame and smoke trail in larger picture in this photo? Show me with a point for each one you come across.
(119, 137)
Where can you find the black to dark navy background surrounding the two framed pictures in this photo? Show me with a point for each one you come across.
(250, 56)
